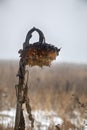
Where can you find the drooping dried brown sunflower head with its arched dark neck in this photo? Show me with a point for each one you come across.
(39, 53)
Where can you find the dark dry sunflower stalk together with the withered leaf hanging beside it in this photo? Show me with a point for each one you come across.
(22, 97)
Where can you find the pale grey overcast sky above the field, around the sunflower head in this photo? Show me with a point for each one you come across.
(63, 22)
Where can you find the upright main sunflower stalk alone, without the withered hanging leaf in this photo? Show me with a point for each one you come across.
(19, 88)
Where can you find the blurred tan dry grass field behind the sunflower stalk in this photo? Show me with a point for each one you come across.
(49, 88)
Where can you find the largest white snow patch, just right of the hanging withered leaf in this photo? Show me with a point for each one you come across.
(46, 118)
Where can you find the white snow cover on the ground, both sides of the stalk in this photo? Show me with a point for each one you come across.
(43, 119)
